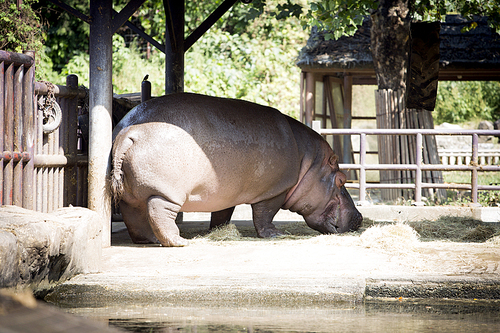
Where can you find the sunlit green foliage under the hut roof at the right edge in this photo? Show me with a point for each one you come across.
(462, 101)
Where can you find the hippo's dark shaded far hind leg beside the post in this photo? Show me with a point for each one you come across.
(136, 220)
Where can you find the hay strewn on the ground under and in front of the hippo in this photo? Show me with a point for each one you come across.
(371, 234)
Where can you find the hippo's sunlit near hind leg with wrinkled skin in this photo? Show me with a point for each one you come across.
(162, 214)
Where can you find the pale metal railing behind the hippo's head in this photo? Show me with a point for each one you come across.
(474, 166)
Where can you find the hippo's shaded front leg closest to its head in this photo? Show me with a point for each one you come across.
(263, 213)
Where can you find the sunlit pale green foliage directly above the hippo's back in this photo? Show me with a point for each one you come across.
(257, 65)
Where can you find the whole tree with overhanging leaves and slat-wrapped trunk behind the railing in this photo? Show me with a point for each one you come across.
(390, 43)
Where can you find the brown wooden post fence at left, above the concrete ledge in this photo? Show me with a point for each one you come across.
(40, 171)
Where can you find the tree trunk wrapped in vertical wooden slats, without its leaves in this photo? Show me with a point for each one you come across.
(390, 35)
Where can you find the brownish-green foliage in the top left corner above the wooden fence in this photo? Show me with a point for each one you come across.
(19, 27)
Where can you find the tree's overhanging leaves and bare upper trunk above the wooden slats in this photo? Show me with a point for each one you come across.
(391, 26)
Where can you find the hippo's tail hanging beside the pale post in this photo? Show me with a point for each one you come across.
(120, 147)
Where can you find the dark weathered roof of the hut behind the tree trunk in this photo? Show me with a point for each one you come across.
(476, 51)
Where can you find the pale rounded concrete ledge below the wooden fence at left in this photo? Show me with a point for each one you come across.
(38, 250)
